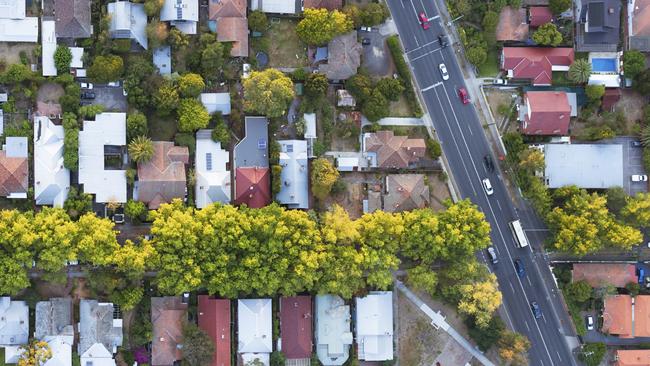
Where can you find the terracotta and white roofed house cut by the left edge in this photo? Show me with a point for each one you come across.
(14, 168)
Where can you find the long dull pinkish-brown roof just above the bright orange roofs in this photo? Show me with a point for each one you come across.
(604, 274)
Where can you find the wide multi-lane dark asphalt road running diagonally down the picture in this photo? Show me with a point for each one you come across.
(464, 144)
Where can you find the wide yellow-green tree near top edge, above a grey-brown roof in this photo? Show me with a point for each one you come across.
(320, 26)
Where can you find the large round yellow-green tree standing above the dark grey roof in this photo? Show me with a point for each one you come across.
(268, 92)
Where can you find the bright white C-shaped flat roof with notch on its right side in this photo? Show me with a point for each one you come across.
(106, 185)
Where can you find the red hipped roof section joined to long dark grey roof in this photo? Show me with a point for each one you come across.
(253, 187)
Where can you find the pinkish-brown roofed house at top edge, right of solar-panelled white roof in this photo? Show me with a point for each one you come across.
(231, 24)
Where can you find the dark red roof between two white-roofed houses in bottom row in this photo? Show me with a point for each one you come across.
(296, 318)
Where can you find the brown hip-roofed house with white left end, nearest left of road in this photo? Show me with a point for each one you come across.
(385, 150)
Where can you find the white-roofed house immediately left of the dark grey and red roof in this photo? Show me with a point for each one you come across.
(211, 167)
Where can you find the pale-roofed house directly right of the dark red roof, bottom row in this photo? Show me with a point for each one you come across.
(333, 336)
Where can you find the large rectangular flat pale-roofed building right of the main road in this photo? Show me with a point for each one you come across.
(583, 165)
